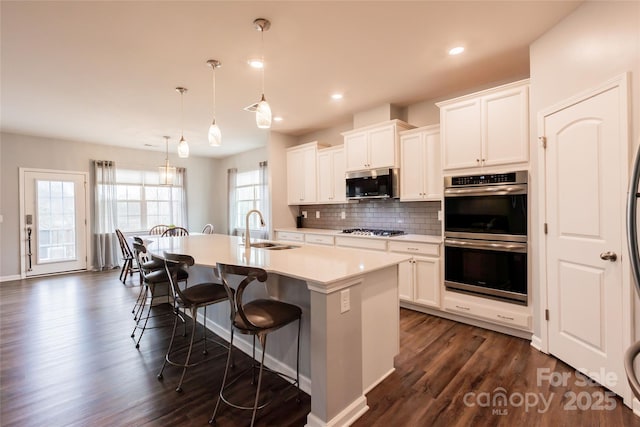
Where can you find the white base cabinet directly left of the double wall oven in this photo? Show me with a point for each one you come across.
(419, 277)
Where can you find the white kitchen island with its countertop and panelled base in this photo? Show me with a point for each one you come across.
(350, 308)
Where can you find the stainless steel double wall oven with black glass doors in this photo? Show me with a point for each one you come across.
(485, 229)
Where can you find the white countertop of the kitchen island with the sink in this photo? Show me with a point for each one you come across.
(321, 264)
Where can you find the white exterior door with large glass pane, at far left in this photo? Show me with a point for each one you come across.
(54, 218)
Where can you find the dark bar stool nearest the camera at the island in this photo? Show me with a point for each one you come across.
(258, 318)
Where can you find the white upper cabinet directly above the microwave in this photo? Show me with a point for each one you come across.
(374, 147)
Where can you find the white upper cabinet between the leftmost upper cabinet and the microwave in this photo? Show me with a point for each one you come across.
(331, 175)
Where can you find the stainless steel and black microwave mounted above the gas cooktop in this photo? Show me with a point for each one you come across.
(373, 184)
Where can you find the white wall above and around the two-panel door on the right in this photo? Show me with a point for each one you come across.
(600, 40)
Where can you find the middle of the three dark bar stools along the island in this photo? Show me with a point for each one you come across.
(191, 298)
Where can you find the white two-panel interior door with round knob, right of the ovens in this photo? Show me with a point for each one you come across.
(585, 176)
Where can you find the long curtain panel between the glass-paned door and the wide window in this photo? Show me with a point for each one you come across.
(104, 223)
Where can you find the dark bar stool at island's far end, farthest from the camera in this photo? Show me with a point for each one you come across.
(152, 276)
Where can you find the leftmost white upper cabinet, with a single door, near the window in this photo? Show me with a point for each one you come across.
(301, 173)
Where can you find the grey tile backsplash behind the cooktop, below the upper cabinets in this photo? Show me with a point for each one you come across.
(410, 217)
